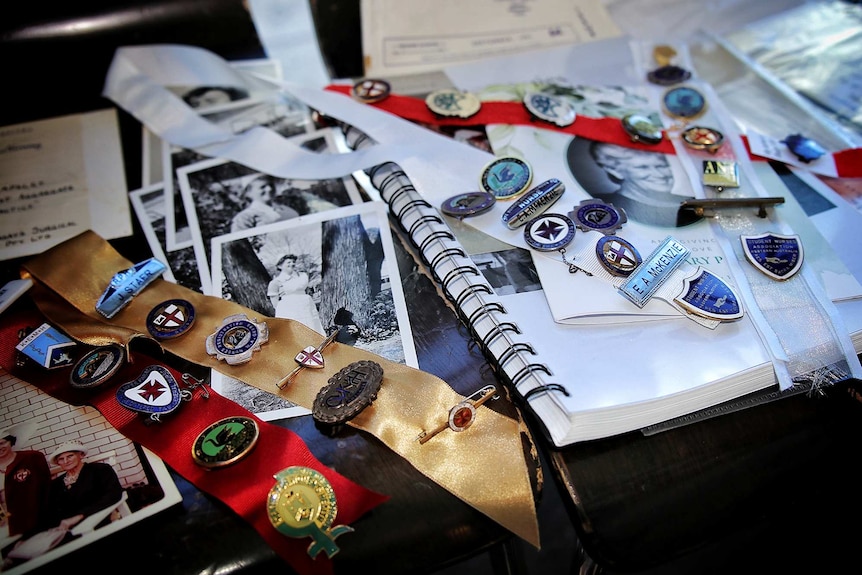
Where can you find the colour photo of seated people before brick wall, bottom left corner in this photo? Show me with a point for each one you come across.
(69, 478)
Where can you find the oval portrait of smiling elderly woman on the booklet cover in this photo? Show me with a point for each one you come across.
(648, 186)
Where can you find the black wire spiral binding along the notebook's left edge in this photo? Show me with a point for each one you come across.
(462, 282)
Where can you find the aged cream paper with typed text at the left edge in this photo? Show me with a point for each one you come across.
(60, 177)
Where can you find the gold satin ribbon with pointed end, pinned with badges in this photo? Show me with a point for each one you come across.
(484, 466)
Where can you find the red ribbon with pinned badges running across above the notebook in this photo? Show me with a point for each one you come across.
(848, 163)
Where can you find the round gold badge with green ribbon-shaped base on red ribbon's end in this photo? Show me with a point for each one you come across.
(302, 504)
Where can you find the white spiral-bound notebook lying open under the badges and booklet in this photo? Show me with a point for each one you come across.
(582, 382)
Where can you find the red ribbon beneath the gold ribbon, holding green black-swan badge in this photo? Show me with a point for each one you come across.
(243, 486)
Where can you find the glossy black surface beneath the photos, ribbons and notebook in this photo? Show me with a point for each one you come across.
(778, 481)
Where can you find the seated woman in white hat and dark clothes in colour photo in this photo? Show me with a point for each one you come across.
(83, 488)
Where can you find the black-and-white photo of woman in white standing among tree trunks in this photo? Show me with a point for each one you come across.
(334, 271)
